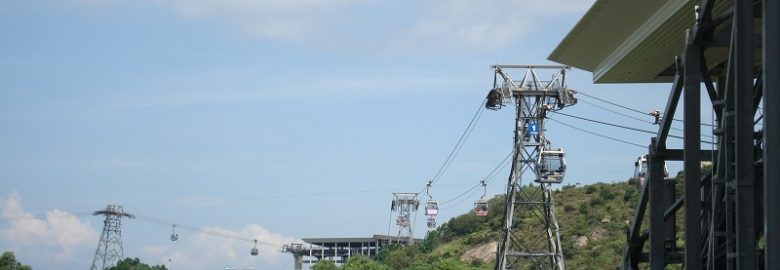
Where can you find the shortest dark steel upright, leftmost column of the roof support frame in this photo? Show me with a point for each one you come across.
(658, 205)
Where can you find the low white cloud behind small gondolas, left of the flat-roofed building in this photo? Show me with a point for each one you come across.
(205, 251)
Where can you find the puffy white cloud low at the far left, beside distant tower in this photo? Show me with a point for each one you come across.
(58, 229)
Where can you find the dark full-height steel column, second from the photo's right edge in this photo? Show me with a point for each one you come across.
(745, 162)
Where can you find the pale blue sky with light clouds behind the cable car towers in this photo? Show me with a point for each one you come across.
(271, 120)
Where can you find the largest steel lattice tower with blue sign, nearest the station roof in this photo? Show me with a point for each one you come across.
(531, 245)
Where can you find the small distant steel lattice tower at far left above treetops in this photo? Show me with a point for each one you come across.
(109, 250)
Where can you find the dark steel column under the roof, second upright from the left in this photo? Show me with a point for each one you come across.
(692, 152)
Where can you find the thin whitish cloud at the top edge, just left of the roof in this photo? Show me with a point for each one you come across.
(484, 24)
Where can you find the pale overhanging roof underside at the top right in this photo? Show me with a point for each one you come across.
(628, 41)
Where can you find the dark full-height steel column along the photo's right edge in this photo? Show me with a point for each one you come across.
(771, 69)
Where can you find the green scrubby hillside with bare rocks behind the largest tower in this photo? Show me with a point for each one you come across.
(592, 220)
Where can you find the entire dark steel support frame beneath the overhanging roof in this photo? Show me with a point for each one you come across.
(725, 214)
